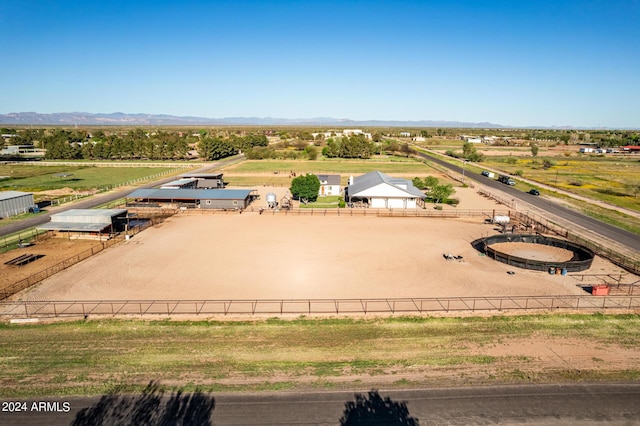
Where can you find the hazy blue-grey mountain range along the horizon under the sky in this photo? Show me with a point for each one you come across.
(122, 119)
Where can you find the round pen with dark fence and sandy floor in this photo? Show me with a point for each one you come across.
(536, 252)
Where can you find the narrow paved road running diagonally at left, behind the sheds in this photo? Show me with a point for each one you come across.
(97, 200)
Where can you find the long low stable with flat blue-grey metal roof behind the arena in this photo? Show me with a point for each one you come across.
(224, 199)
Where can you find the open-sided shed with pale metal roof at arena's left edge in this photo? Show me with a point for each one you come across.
(87, 223)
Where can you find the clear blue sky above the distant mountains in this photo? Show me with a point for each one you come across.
(512, 62)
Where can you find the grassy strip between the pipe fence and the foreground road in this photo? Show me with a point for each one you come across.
(92, 357)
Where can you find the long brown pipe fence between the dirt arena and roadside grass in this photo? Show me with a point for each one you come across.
(60, 309)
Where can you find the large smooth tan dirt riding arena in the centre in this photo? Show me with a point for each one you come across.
(253, 256)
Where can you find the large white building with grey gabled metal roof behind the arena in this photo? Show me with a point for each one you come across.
(377, 190)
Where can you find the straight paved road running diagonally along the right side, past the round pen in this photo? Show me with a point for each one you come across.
(604, 230)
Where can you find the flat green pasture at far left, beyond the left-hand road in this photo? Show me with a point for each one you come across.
(30, 178)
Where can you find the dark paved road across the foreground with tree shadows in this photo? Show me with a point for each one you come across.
(589, 404)
